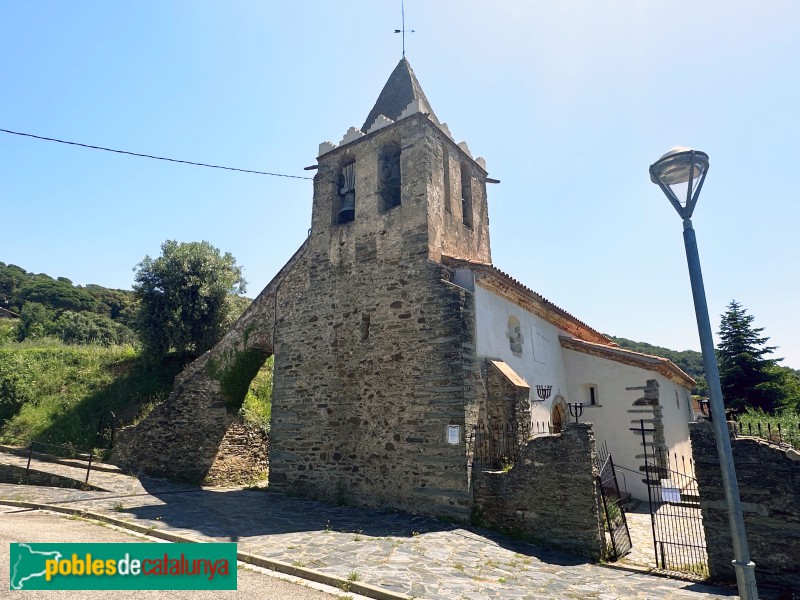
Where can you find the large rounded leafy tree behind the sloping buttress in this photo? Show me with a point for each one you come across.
(186, 297)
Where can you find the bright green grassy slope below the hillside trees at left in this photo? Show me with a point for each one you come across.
(56, 393)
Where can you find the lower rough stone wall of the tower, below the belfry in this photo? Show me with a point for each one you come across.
(368, 376)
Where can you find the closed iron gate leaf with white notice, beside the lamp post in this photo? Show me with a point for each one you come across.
(677, 523)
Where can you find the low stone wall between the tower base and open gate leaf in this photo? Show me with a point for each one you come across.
(550, 495)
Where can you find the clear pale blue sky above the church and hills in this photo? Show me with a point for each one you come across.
(568, 101)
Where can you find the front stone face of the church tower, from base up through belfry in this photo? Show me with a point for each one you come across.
(377, 358)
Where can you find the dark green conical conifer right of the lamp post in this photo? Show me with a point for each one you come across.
(748, 378)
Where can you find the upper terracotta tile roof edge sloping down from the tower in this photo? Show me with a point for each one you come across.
(546, 309)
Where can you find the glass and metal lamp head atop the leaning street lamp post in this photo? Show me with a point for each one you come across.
(680, 174)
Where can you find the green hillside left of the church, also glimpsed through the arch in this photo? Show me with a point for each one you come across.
(72, 357)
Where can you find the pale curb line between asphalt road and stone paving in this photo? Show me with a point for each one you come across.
(356, 587)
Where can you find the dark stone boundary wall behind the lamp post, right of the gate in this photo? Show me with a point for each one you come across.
(769, 487)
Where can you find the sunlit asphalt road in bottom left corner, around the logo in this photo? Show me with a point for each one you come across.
(22, 525)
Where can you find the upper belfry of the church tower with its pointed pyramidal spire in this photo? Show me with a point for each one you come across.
(400, 185)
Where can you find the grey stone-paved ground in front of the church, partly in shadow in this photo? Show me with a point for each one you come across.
(417, 556)
